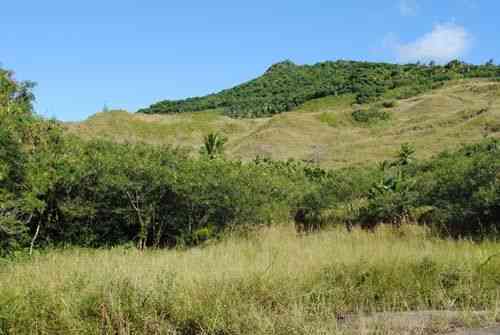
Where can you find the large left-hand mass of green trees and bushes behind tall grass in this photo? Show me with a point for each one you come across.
(58, 190)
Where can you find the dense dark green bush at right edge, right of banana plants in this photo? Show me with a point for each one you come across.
(463, 190)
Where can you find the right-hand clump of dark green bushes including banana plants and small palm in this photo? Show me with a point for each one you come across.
(456, 193)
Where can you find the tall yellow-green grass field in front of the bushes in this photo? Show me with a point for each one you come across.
(273, 282)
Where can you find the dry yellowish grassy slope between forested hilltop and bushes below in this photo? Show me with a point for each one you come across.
(322, 129)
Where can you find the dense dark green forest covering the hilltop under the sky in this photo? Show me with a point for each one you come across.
(286, 85)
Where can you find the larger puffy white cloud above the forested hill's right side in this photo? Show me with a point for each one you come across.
(445, 42)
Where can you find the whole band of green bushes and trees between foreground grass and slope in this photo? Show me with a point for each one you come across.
(59, 190)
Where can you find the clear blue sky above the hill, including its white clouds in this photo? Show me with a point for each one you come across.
(130, 53)
